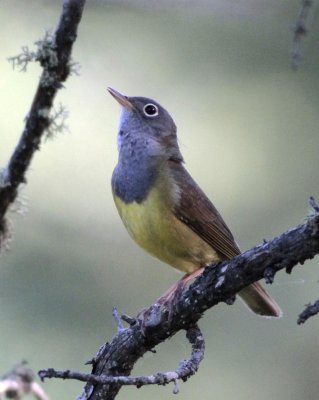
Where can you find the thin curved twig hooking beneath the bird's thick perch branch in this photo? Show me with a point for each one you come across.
(185, 369)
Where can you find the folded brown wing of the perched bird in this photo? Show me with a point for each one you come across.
(199, 214)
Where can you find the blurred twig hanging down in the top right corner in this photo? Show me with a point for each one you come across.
(299, 31)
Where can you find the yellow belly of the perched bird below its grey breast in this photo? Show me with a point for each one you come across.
(154, 227)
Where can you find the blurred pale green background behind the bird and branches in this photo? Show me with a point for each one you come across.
(248, 129)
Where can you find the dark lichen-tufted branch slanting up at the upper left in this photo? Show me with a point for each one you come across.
(55, 60)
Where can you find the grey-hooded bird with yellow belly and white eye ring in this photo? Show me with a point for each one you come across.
(162, 207)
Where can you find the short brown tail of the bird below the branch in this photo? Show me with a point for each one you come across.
(259, 301)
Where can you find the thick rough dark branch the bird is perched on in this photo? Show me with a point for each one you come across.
(218, 283)
